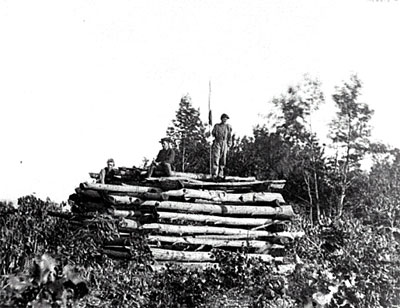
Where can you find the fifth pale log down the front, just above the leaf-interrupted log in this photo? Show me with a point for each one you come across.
(216, 243)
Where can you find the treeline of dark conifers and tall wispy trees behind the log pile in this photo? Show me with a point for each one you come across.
(323, 178)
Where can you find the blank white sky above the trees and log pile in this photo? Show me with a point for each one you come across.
(82, 81)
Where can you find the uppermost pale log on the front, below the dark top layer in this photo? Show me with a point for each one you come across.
(224, 197)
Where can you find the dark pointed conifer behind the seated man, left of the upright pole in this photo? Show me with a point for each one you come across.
(188, 133)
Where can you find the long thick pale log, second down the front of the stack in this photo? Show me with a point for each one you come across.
(280, 212)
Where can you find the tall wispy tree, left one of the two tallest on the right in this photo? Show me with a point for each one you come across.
(294, 124)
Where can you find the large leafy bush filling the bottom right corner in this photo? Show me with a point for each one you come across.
(347, 264)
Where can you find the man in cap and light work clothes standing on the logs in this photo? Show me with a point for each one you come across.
(222, 134)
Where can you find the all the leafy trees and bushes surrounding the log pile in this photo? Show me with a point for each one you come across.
(349, 256)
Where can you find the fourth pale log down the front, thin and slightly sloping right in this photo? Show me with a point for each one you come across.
(202, 230)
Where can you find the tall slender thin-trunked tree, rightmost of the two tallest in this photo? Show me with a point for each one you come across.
(350, 132)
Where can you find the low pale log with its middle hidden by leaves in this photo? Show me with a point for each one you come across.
(200, 256)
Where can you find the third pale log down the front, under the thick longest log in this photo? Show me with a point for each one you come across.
(217, 220)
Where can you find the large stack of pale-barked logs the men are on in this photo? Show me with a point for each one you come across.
(186, 215)
